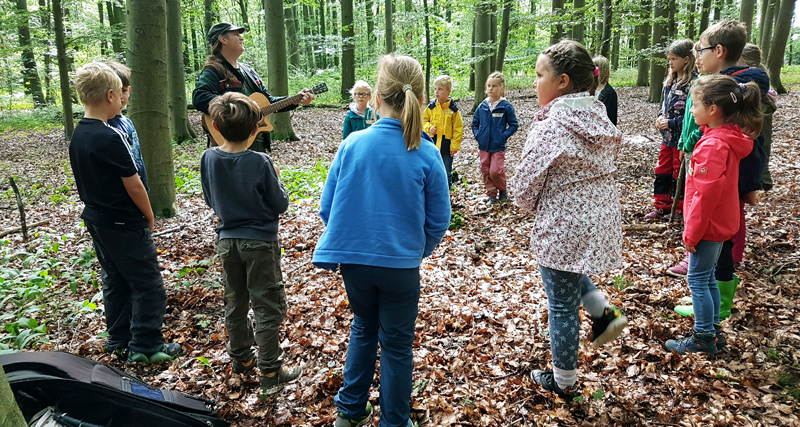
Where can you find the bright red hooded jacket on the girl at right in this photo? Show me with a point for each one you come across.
(711, 207)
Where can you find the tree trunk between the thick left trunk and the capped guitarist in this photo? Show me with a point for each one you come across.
(176, 77)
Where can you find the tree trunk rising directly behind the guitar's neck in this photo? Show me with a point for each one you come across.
(278, 74)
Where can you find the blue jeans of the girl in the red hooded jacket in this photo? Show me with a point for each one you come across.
(703, 284)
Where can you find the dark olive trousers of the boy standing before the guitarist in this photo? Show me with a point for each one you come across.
(252, 277)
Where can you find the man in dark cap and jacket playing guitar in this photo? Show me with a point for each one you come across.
(224, 73)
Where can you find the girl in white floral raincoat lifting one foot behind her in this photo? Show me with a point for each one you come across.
(566, 176)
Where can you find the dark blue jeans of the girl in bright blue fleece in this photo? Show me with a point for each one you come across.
(384, 302)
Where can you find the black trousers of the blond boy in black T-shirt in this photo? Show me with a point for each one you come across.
(133, 291)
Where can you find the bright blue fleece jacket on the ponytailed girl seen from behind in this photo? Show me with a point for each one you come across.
(383, 205)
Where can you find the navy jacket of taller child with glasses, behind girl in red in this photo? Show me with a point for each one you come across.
(752, 166)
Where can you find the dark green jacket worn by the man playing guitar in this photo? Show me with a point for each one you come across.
(211, 84)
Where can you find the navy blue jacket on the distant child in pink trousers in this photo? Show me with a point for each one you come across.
(492, 128)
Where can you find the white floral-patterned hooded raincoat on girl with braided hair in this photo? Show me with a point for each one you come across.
(567, 176)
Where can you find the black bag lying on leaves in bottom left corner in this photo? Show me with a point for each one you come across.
(82, 392)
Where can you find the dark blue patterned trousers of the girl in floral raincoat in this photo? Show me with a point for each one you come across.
(564, 290)
